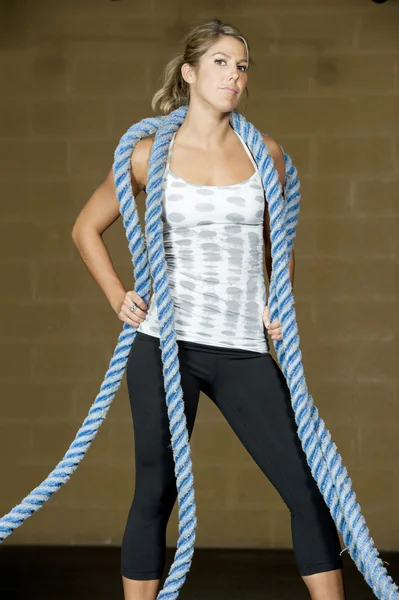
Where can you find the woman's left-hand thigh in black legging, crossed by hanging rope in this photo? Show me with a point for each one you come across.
(145, 382)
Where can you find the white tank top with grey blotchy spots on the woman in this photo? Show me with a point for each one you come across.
(213, 240)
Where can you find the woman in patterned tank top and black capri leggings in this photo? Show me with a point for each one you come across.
(215, 231)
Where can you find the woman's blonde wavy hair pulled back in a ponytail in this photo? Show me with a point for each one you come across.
(175, 91)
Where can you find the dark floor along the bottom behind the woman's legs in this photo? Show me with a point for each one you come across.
(77, 573)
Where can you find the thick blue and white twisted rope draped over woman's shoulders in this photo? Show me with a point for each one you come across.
(149, 262)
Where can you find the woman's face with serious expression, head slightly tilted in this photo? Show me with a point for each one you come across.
(221, 76)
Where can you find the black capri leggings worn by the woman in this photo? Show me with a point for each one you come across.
(251, 392)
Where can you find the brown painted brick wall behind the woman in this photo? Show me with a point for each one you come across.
(75, 75)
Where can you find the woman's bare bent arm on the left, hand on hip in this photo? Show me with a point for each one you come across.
(101, 210)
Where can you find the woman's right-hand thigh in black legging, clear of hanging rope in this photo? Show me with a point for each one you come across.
(253, 395)
